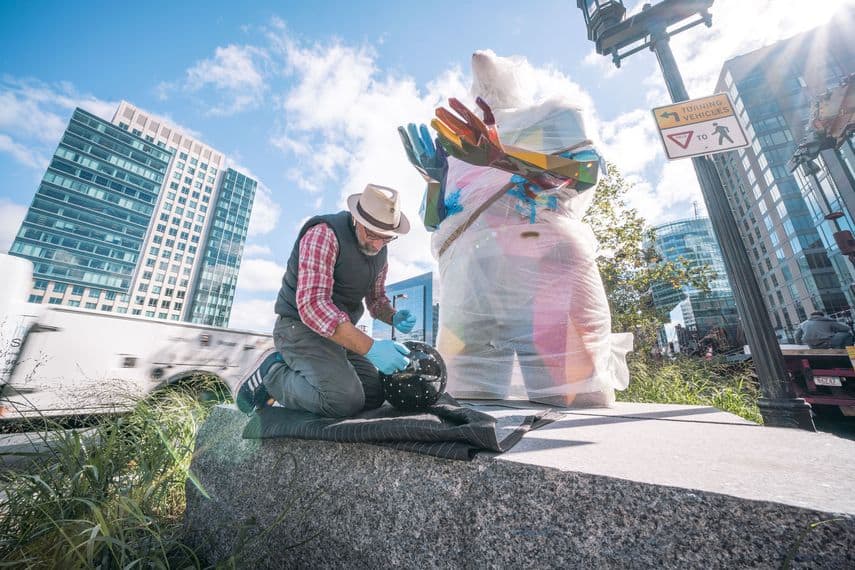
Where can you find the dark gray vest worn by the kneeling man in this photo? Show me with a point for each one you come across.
(354, 274)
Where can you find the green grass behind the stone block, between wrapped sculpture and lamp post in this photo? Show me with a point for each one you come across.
(729, 387)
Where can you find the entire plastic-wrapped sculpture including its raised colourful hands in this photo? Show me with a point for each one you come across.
(523, 311)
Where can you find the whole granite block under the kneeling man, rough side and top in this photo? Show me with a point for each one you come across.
(637, 486)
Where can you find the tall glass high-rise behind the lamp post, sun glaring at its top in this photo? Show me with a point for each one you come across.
(781, 214)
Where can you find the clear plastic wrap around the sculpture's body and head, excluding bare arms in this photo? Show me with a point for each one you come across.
(523, 310)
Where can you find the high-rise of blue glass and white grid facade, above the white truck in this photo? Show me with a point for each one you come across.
(134, 216)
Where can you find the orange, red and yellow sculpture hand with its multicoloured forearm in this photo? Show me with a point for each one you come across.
(477, 142)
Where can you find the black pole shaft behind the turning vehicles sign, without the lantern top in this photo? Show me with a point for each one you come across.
(778, 403)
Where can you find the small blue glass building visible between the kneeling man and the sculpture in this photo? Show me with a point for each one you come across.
(415, 295)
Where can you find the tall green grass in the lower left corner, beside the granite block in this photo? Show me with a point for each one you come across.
(108, 497)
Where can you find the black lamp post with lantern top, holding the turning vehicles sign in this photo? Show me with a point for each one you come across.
(620, 37)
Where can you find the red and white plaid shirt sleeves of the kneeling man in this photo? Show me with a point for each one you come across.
(318, 252)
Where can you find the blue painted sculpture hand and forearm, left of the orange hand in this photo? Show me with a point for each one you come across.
(431, 161)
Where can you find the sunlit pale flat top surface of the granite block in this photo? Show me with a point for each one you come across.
(693, 447)
